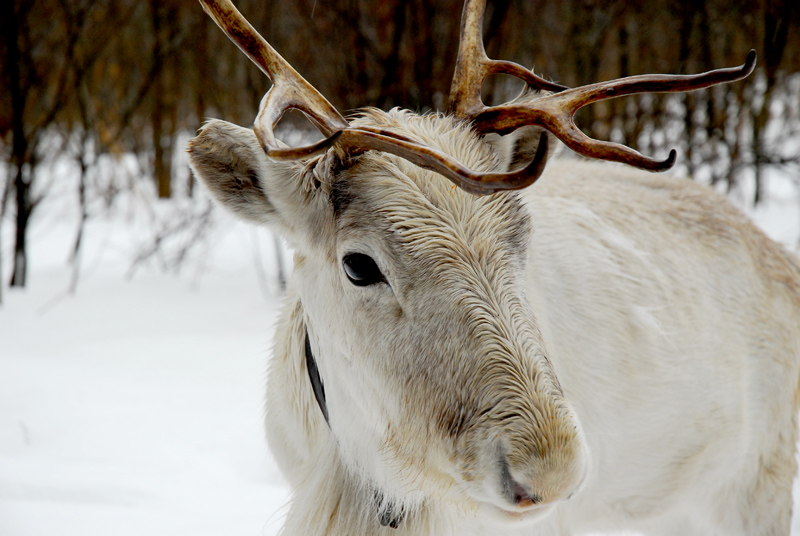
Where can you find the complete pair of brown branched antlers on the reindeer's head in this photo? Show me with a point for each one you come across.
(553, 112)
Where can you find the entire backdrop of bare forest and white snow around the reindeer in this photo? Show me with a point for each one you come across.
(135, 334)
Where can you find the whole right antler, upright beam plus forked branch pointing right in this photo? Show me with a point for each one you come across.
(555, 112)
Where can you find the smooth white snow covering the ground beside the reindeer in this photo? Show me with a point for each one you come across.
(134, 406)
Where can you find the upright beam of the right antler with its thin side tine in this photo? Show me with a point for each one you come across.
(473, 66)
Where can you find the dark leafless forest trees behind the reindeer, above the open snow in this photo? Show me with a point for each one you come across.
(117, 87)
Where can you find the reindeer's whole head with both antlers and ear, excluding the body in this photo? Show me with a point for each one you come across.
(436, 379)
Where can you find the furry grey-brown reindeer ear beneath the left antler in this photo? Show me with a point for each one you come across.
(234, 168)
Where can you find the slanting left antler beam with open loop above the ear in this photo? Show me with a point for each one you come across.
(289, 90)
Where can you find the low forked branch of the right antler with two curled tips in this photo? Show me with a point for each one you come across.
(556, 112)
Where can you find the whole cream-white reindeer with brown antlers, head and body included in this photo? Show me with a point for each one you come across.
(605, 350)
